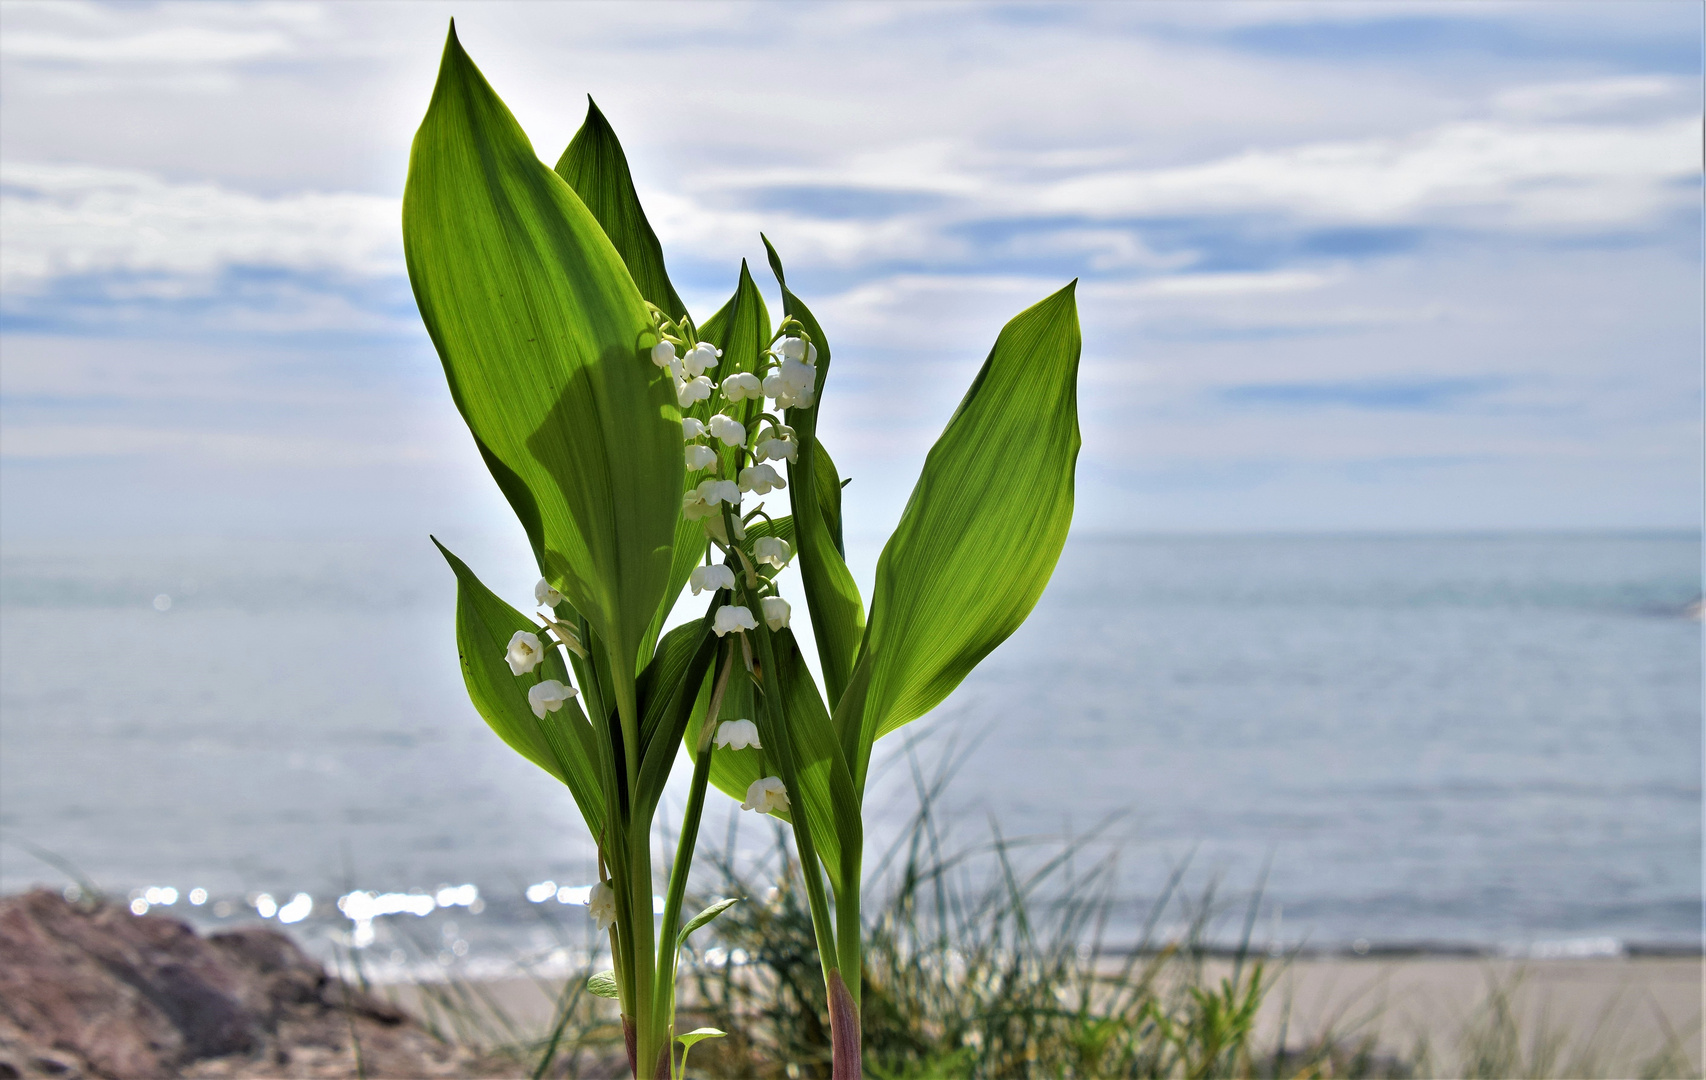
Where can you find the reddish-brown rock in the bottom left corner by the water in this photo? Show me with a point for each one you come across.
(93, 990)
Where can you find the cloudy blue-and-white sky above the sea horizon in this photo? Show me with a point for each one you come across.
(1376, 267)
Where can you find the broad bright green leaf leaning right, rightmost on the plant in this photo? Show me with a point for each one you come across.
(984, 530)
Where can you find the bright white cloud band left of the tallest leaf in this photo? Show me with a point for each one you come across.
(66, 221)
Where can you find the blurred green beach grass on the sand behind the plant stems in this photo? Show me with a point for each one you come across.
(990, 960)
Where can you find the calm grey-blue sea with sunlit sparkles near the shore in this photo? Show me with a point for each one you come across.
(1483, 745)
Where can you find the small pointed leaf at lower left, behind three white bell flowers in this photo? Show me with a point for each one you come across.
(562, 743)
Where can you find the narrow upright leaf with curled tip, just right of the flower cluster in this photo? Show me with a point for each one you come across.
(832, 596)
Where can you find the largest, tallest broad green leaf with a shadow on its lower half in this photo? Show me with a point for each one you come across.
(545, 342)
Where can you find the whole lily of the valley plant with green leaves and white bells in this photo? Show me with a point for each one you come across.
(634, 444)
